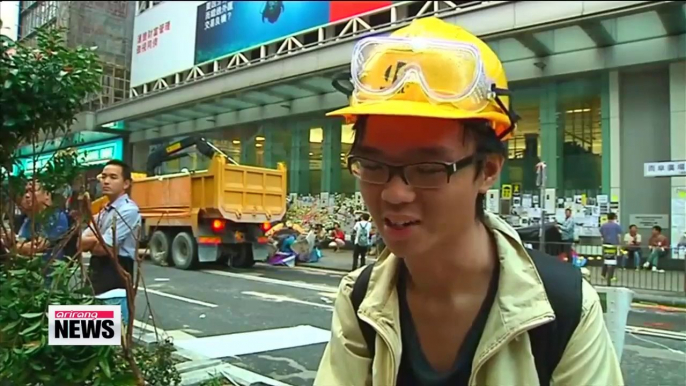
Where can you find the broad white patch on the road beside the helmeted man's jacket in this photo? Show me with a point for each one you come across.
(222, 346)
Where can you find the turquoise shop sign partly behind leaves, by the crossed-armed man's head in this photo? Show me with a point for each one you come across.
(93, 154)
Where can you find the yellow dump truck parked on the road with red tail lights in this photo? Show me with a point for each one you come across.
(218, 214)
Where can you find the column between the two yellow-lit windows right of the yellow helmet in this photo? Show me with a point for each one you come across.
(551, 136)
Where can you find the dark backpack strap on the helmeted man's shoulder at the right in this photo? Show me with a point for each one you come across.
(563, 284)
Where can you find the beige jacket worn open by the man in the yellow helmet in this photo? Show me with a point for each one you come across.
(503, 357)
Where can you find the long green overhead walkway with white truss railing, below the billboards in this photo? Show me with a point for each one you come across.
(535, 39)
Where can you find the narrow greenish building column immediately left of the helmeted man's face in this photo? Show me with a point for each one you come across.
(331, 165)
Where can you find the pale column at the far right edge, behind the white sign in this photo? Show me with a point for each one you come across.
(677, 128)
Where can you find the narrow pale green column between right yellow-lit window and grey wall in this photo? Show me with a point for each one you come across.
(610, 126)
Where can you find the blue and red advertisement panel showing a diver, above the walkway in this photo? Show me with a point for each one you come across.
(225, 27)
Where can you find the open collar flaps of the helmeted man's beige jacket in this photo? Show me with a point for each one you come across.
(521, 297)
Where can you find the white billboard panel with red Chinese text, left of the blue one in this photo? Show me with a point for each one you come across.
(163, 41)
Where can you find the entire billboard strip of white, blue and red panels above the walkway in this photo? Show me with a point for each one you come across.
(176, 35)
